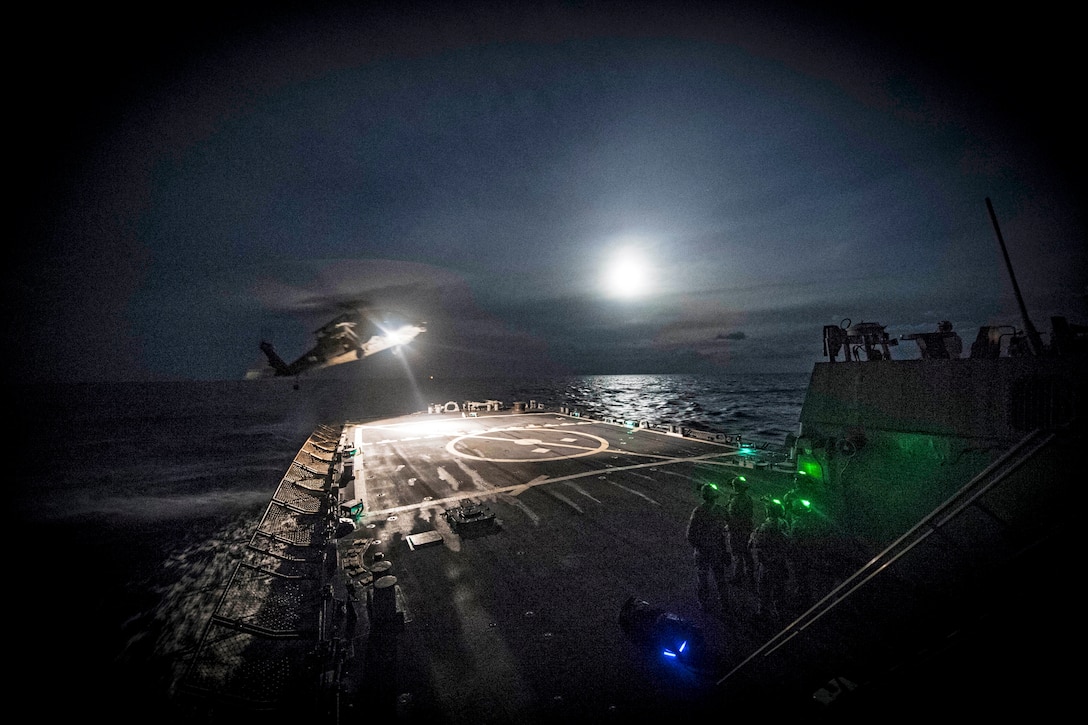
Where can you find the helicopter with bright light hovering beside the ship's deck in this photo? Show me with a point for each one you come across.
(338, 342)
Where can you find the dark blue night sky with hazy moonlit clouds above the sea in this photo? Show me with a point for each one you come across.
(191, 181)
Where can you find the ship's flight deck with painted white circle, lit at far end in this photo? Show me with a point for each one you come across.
(521, 622)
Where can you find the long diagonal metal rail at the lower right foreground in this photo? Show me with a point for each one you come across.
(994, 474)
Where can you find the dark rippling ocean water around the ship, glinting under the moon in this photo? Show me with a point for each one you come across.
(131, 501)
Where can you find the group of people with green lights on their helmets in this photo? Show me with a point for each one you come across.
(784, 560)
